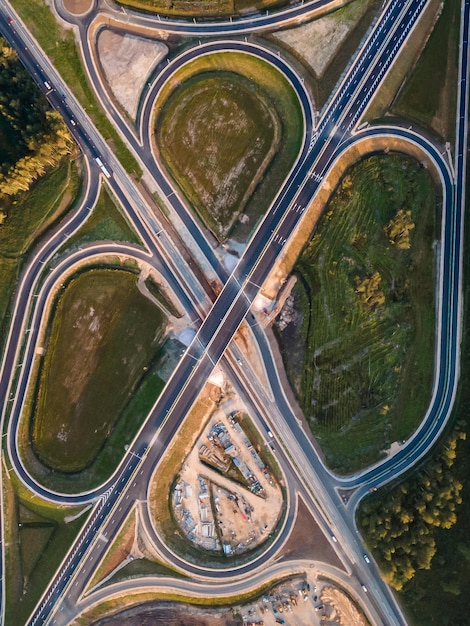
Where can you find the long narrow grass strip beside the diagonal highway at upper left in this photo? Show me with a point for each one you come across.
(59, 45)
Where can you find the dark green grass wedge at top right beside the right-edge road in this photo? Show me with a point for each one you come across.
(431, 89)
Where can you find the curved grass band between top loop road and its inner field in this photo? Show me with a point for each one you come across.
(268, 85)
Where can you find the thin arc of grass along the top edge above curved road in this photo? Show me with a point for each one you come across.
(203, 8)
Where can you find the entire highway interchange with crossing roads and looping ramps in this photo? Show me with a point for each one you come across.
(217, 319)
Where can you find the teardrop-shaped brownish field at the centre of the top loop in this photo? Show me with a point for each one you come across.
(217, 137)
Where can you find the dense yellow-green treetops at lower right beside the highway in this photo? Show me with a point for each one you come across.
(400, 525)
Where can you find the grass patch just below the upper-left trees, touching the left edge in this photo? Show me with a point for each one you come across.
(28, 216)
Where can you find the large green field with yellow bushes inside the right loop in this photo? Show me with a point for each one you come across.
(360, 357)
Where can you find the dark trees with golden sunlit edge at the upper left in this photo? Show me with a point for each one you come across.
(42, 138)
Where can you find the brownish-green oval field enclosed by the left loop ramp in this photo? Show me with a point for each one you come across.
(103, 334)
